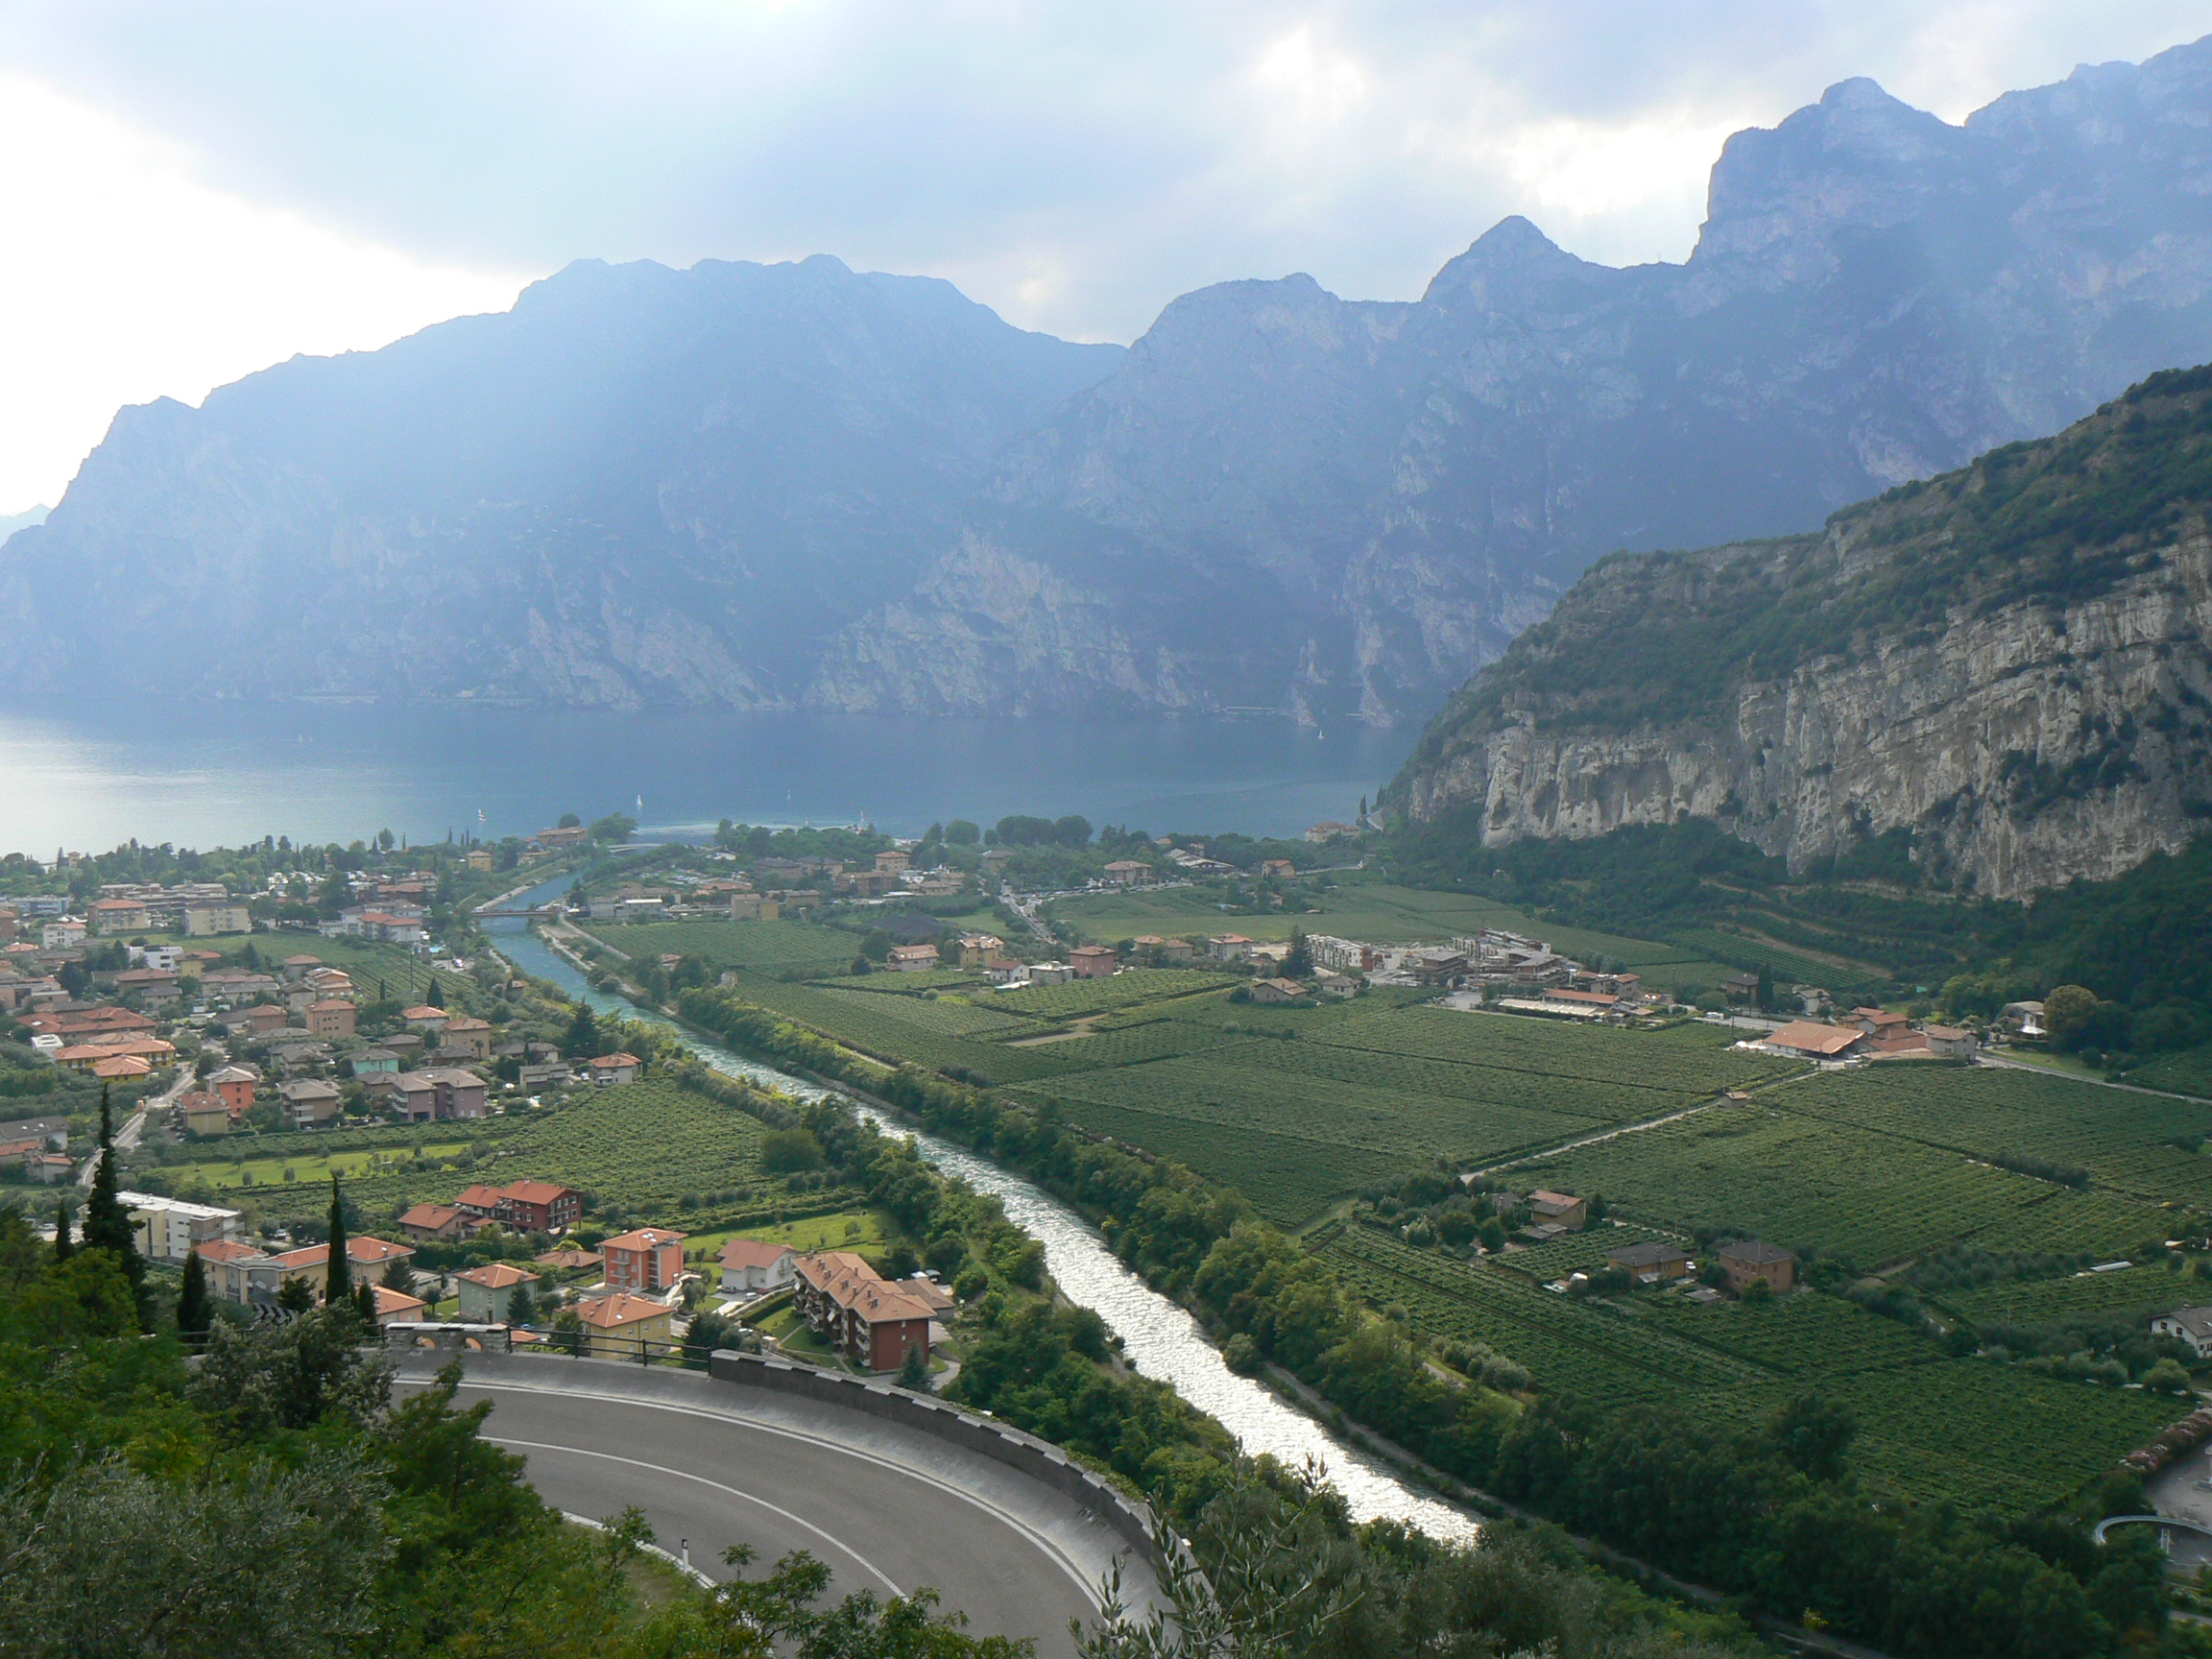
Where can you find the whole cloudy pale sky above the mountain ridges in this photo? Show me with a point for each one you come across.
(194, 191)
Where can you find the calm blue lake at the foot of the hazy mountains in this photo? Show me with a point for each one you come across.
(211, 775)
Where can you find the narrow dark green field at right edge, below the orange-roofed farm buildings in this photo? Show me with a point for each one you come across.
(2145, 1147)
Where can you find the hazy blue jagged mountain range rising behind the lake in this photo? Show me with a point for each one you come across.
(797, 486)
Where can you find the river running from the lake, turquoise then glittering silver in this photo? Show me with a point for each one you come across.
(1158, 1337)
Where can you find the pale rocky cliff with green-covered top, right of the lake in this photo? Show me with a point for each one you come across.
(2018, 687)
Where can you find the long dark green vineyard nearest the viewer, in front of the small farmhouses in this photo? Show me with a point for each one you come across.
(1970, 1432)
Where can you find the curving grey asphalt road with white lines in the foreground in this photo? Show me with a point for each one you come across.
(709, 1481)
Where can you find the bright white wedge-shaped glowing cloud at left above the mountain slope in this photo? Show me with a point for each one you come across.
(127, 280)
